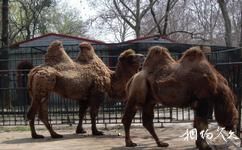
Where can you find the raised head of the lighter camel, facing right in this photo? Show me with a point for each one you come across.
(130, 60)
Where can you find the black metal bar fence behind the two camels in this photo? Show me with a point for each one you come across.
(14, 98)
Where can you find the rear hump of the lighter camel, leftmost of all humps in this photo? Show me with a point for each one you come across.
(55, 48)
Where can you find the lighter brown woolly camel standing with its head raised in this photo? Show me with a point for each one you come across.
(85, 80)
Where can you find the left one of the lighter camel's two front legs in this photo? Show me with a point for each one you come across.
(83, 105)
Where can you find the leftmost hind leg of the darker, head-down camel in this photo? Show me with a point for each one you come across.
(129, 113)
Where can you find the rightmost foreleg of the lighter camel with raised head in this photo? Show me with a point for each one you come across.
(94, 106)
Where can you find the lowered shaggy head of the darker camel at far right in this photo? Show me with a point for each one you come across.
(226, 113)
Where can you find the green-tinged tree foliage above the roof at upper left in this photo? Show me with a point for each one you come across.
(28, 19)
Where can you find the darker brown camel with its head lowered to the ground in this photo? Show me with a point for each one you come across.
(190, 81)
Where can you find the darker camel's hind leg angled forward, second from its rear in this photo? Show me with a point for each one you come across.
(147, 118)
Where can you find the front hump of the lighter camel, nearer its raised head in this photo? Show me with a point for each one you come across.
(86, 53)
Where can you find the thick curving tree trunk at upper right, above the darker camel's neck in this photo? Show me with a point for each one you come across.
(227, 22)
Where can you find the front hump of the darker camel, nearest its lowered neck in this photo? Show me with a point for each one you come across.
(193, 54)
